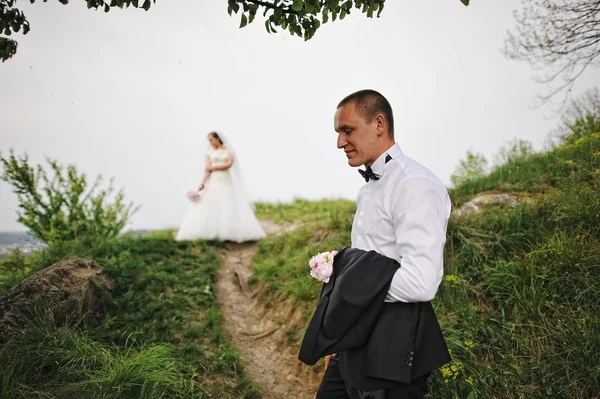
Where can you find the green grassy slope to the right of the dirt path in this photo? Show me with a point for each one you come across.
(520, 301)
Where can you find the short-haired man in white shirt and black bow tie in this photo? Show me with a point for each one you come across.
(402, 213)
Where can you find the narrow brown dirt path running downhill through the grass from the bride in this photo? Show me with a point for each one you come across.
(259, 333)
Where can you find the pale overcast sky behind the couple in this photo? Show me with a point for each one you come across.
(132, 94)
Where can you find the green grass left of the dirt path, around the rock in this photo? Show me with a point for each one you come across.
(162, 335)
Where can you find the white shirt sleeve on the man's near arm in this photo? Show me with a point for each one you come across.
(420, 209)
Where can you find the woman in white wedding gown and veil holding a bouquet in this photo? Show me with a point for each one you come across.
(224, 210)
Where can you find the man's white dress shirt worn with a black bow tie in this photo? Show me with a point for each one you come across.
(404, 216)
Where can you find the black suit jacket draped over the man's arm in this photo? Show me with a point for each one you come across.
(379, 344)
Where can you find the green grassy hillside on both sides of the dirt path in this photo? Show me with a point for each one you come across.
(519, 304)
